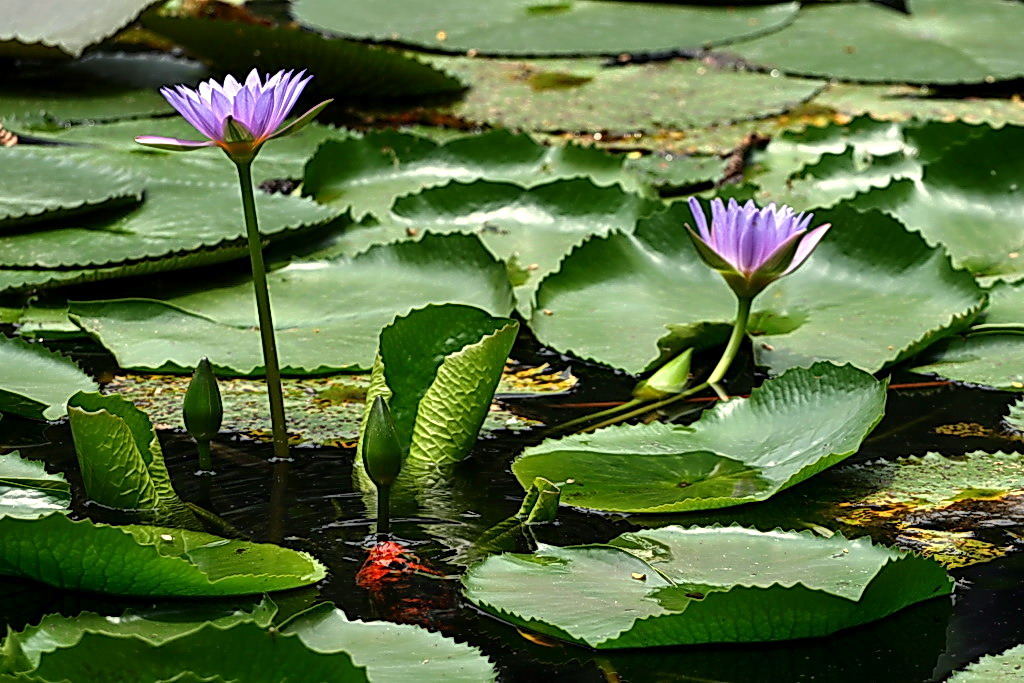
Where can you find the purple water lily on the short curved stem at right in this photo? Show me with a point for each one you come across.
(752, 247)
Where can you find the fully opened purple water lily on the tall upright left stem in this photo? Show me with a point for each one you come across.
(237, 117)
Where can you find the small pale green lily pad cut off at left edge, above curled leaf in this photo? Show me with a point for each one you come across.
(36, 382)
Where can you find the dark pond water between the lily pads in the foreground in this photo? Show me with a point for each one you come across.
(310, 504)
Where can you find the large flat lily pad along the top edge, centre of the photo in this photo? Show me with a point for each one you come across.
(529, 28)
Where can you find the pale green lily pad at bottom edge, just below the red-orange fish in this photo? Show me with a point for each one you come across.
(392, 653)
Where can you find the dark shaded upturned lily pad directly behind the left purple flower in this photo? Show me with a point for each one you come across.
(344, 69)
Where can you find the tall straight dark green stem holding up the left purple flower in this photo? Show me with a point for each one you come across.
(264, 310)
